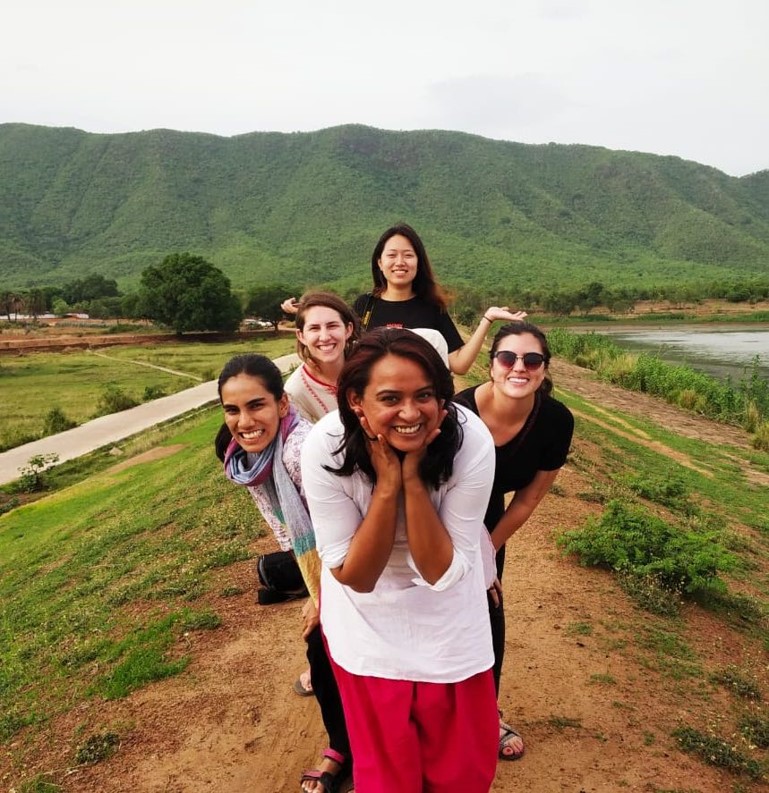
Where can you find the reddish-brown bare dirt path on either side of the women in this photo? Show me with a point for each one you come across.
(580, 681)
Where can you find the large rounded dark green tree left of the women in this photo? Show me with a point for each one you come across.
(188, 293)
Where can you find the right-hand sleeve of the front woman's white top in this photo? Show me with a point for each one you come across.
(464, 503)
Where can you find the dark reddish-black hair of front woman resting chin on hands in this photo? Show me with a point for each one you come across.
(437, 465)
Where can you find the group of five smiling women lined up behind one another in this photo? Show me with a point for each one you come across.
(393, 504)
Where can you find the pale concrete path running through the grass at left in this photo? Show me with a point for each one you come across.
(118, 426)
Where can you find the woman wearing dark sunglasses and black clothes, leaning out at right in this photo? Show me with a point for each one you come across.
(532, 434)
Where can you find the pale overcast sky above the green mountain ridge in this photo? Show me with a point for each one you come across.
(682, 77)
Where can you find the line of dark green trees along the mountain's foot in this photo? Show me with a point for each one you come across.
(188, 293)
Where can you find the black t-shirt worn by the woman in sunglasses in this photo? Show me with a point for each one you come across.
(541, 445)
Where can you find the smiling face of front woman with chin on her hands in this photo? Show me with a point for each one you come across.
(399, 403)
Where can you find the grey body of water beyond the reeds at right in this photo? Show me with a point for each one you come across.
(718, 352)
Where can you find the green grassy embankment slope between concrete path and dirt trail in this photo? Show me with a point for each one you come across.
(98, 581)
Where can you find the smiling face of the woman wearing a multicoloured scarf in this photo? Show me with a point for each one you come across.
(251, 412)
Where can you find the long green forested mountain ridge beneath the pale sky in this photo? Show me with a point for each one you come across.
(307, 208)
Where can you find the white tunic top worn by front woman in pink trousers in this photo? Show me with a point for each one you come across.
(405, 629)
